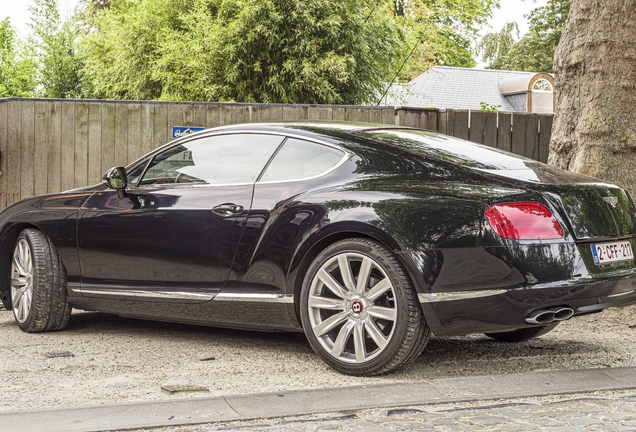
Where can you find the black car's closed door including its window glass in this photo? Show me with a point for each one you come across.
(175, 232)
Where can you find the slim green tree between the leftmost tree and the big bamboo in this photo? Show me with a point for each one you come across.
(54, 44)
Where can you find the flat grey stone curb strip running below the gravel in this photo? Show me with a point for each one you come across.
(134, 415)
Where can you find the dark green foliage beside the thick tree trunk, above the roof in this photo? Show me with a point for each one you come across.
(534, 52)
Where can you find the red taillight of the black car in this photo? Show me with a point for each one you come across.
(523, 221)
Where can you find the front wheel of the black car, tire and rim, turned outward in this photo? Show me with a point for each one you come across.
(38, 293)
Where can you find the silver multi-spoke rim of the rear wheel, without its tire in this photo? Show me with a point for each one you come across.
(352, 308)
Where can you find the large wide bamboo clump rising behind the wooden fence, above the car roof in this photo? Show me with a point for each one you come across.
(287, 51)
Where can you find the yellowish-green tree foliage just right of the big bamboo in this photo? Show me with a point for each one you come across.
(443, 29)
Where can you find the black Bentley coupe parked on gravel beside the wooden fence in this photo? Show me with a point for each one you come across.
(366, 237)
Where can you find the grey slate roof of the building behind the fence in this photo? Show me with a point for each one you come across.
(454, 88)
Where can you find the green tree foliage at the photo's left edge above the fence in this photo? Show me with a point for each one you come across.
(17, 68)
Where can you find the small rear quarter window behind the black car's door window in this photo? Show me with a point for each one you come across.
(299, 159)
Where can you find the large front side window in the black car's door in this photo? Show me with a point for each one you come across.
(220, 159)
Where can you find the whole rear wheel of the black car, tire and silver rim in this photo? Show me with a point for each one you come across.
(362, 310)
